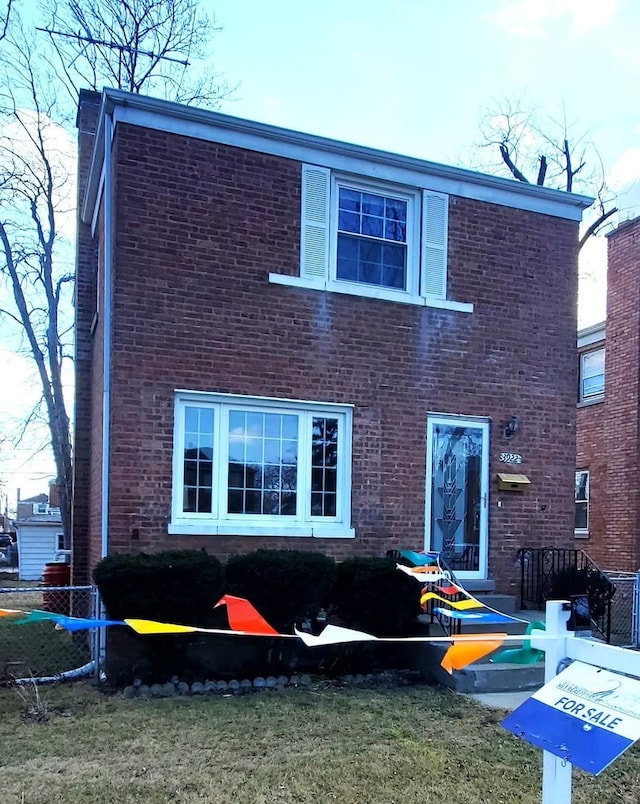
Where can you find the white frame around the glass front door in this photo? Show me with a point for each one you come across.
(475, 422)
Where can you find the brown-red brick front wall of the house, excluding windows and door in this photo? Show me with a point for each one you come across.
(200, 226)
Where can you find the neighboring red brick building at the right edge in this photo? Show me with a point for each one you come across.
(608, 434)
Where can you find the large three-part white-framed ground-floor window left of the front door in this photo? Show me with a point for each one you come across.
(253, 466)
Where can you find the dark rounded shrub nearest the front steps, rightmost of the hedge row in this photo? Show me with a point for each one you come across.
(371, 595)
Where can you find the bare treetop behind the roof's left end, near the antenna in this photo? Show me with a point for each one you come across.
(157, 47)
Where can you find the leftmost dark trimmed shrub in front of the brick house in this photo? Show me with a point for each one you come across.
(178, 586)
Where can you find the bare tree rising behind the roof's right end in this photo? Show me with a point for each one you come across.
(545, 153)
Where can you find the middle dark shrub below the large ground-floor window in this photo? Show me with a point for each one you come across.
(285, 586)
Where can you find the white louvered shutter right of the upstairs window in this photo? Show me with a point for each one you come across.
(435, 208)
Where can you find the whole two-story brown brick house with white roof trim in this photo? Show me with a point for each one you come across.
(292, 342)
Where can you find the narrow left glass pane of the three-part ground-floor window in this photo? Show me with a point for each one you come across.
(197, 460)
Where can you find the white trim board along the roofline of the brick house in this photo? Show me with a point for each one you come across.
(225, 129)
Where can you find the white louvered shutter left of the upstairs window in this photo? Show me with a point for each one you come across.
(314, 246)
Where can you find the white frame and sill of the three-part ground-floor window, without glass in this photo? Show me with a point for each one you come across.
(219, 521)
